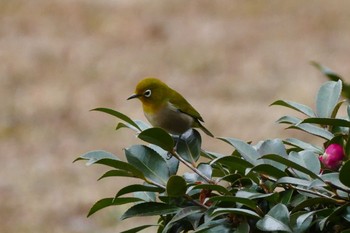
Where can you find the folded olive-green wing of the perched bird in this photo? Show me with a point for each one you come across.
(182, 105)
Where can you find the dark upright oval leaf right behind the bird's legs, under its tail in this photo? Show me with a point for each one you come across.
(189, 146)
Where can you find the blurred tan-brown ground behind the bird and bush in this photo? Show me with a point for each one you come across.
(61, 58)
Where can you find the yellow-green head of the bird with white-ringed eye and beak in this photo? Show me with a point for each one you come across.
(150, 91)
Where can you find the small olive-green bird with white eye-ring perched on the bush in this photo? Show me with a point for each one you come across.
(166, 108)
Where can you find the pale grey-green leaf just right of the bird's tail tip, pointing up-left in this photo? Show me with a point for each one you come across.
(247, 151)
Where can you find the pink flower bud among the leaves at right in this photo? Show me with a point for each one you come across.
(332, 157)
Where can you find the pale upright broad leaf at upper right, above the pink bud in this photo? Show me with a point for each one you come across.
(327, 98)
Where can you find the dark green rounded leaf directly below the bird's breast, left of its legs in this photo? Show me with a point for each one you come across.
(159, 137)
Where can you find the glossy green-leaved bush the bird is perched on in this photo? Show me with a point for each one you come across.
(276, 185)
